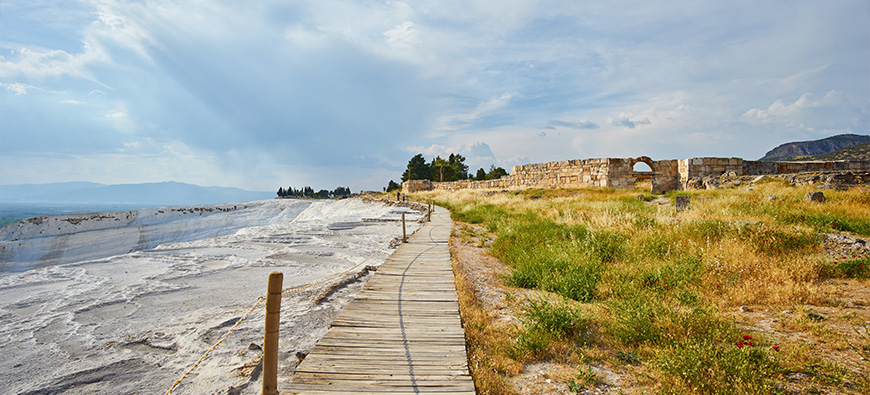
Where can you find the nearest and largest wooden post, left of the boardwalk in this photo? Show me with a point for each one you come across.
(270, 340)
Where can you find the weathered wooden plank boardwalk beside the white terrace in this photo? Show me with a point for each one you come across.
(402, 334)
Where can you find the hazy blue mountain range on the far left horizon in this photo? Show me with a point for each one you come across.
(149, 194)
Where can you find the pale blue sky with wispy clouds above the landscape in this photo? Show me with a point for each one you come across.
(329, 93)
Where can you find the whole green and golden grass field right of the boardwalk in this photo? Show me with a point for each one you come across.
(737, 294)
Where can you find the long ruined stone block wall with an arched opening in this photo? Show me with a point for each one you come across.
(667, 175)
